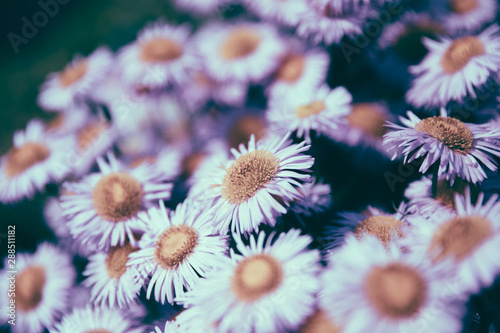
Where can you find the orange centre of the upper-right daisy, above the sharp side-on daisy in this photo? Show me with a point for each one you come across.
(460, 52)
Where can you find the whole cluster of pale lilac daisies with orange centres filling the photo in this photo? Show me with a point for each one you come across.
(196, 173)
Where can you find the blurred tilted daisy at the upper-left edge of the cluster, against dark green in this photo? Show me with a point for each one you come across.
(62, 90)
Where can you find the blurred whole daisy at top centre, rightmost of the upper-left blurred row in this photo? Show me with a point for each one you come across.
(245, 52)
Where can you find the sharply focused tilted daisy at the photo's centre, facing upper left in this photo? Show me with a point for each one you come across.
(252, 187)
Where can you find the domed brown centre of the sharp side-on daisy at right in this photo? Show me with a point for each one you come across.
(451, 132)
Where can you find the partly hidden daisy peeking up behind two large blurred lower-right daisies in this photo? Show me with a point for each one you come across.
(386, 227)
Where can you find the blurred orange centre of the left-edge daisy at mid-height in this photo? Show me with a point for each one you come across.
(22, 158)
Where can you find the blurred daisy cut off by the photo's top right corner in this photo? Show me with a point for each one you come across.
(460, 16)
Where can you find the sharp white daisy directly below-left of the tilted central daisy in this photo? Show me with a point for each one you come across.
(178, 248)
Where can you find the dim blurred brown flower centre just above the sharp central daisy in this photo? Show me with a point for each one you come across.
(244, 127)
